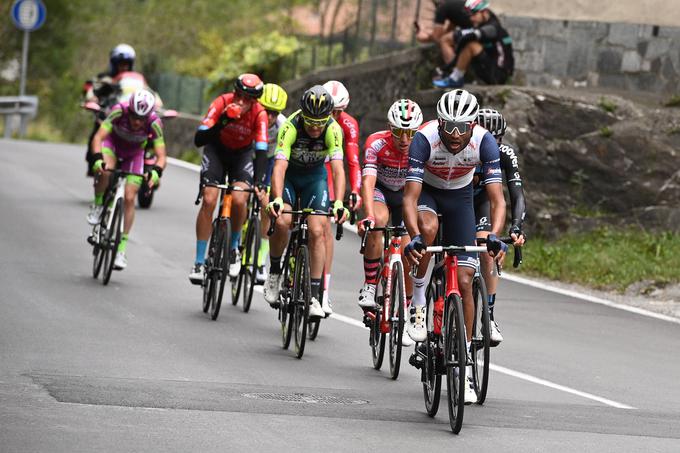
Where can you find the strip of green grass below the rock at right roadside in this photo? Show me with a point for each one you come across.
(606, 258)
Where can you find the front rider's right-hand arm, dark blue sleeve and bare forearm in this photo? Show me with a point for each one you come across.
(493, 181)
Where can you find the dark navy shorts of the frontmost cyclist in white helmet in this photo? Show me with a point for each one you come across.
(458, 217)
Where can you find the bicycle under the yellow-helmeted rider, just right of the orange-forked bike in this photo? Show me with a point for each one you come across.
(249, 248)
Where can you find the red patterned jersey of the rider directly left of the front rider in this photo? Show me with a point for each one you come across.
(385, 161)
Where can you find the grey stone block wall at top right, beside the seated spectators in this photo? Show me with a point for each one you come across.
(595, 54)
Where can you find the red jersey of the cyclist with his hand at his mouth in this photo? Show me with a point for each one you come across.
(250, 127)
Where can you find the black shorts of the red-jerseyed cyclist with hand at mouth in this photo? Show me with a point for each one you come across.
(219, 163)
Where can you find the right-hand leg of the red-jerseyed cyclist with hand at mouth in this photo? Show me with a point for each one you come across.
(240, 169)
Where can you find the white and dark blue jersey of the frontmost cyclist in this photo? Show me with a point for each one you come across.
(432, 163)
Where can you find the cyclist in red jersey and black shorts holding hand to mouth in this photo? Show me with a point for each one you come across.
(234, 125)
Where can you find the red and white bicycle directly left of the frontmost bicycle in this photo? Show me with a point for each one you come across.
(386, 321)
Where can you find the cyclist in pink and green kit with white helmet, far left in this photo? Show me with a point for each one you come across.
(121, 140)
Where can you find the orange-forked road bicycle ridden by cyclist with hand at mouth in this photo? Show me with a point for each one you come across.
(216, 268)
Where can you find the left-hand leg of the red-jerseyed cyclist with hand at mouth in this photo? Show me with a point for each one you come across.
(212, 171)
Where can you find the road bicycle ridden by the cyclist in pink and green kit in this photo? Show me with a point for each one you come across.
(106, 234)
